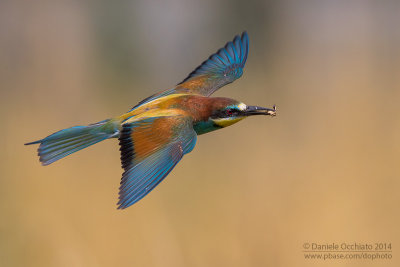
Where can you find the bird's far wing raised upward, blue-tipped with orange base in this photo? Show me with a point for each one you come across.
(221, 68)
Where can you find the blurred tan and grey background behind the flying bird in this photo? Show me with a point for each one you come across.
(326, 169)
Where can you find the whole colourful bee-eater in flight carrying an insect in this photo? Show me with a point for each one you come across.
(156, 133)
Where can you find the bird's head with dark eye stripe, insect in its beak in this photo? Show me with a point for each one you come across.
(226, 111)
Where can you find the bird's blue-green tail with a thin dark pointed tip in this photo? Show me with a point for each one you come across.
(68, 141)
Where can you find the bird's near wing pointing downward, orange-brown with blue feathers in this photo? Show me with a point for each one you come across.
(150, 149)
